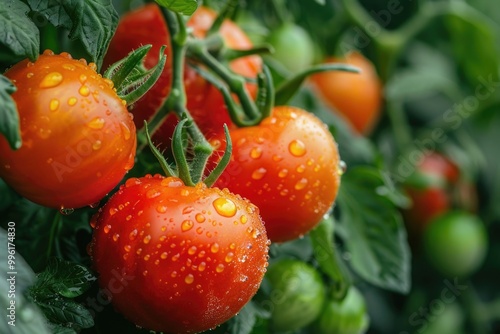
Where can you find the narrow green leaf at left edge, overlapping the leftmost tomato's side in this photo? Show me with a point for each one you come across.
(9, 118)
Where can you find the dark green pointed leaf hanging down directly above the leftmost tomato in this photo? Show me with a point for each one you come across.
(92, 22)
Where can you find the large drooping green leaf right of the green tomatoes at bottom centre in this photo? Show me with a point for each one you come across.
(375, 235)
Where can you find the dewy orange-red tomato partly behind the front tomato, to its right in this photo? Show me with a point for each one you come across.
(288, 166)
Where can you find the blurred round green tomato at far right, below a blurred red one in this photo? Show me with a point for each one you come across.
(456, 243)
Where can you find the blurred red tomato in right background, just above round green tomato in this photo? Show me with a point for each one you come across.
(435, 188)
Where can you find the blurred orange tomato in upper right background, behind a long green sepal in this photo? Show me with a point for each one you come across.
(355, 96)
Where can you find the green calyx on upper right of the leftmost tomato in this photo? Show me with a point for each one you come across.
(130, 78)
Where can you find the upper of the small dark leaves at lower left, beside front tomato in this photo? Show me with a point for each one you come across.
(64, 278)
